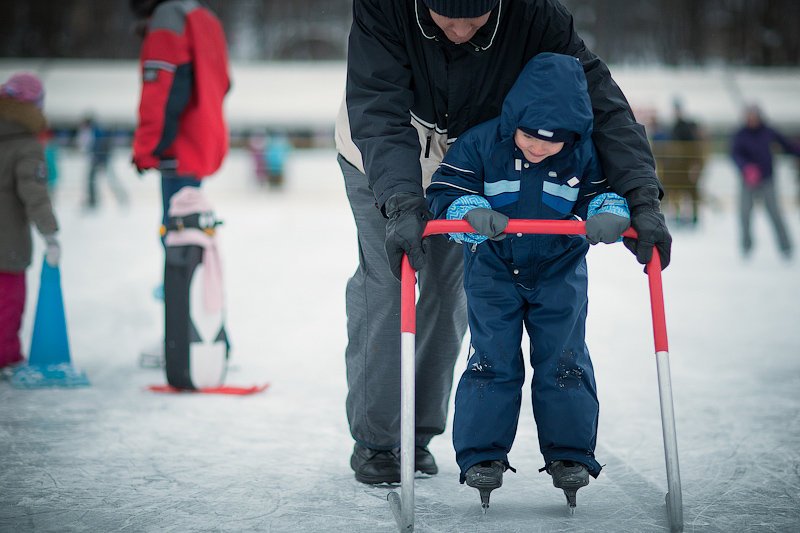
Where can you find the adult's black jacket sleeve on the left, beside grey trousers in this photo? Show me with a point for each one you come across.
(379, 99)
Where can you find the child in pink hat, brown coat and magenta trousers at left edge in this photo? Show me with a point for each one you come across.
(24, 200)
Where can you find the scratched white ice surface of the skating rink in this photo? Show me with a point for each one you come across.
(115, 457)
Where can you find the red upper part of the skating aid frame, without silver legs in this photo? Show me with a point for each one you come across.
(542, 227)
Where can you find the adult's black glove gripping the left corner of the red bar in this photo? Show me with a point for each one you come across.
(408, 213)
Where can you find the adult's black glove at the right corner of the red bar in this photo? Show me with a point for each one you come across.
(647, 220)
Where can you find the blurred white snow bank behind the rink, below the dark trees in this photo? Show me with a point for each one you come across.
(307, 94)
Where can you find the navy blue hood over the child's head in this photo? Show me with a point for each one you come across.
(550, 93)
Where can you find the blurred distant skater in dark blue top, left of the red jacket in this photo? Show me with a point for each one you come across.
(97, 143)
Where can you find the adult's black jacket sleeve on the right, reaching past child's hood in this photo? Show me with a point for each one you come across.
(625, 154)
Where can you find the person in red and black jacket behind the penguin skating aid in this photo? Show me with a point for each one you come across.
(184, 65)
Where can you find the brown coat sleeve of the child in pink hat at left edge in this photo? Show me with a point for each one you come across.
(30, 172)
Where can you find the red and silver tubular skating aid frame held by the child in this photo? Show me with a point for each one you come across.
(402, 504)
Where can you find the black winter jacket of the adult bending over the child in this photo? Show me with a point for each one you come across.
(400, 61)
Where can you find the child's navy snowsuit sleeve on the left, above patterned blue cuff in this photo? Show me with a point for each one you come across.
(459, 174)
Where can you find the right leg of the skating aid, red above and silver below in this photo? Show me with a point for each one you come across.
(674, 495)
